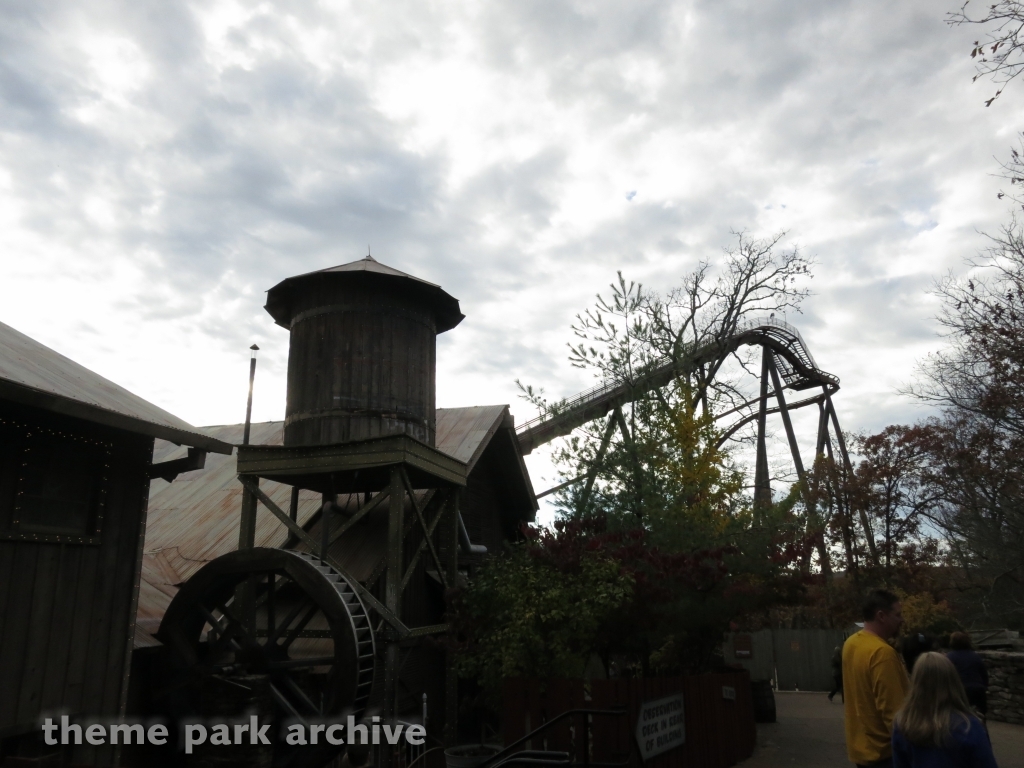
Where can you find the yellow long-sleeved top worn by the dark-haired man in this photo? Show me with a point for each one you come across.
(875, 685)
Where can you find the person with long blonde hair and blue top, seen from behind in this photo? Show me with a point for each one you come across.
(936, 729)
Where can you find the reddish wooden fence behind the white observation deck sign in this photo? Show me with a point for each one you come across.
(720, 731)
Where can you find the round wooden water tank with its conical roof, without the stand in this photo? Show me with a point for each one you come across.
(362, 355)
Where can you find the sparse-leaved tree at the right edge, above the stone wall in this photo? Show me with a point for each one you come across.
(976, 449)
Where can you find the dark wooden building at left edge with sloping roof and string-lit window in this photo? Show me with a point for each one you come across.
(76, 461)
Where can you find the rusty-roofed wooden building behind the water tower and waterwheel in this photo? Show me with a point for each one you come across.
(195, 520)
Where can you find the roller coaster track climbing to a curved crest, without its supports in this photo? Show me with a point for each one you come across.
(792, 359)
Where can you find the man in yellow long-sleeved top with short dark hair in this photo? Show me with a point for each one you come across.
(875, 682)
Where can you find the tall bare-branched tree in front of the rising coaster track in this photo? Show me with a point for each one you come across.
(634, 330)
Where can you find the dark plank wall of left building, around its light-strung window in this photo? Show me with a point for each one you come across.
(68, 610)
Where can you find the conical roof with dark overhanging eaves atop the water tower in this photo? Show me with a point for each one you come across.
(368, 270)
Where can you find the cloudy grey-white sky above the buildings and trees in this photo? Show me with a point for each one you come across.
(163, 164)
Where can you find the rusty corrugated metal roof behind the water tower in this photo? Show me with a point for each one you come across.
(195, 520)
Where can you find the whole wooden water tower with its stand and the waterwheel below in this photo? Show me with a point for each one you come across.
(360, 431)
